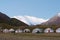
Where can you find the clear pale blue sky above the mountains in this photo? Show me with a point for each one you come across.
(38, 8)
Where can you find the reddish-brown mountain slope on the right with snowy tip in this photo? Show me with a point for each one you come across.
(54, 20)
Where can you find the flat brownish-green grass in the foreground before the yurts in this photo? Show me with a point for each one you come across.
(29, 36)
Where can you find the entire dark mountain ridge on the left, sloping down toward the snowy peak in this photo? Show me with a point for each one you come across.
(7, 22)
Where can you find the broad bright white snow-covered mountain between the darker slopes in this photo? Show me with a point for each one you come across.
(30, 20)
